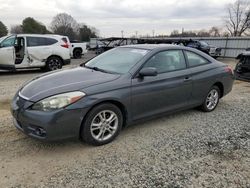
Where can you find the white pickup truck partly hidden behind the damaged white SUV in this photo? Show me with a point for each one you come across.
(78, 49)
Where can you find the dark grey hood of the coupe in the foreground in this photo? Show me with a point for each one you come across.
(63, 81)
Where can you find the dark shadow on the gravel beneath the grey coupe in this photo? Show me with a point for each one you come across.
(71, 145)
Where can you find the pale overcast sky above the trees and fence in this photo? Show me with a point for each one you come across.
(112, 16)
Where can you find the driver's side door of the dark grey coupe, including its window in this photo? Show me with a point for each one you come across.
(169, 90)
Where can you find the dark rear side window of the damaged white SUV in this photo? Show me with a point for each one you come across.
(40, 41)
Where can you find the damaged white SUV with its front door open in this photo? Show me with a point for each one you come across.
(48, 52)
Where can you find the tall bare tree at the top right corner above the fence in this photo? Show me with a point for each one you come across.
(238, 17)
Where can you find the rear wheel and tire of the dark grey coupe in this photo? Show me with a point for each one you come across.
(212, 99)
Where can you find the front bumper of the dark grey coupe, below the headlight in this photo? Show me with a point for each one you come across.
(56, 125)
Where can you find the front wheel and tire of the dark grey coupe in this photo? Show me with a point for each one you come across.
(102, 124)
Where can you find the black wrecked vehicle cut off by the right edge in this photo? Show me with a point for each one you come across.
(242, 68)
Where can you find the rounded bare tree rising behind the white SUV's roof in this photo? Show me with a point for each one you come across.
(65, 24)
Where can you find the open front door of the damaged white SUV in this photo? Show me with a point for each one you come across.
(7, 52)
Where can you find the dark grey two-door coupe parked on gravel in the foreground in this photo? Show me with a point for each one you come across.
(117, 88)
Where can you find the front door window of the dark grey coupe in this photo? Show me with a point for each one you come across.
(167, 61)
